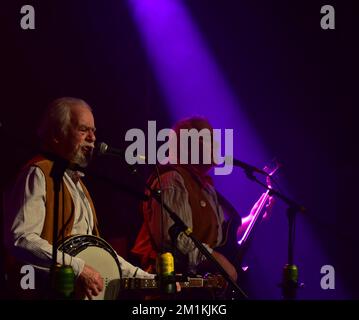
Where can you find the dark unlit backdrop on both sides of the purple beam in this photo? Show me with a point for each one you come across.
(295, 81)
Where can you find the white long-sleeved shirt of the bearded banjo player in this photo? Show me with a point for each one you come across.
(25, 216)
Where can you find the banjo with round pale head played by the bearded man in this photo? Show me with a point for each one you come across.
(98, 254)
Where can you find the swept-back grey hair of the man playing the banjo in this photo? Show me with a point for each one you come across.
(57, 118)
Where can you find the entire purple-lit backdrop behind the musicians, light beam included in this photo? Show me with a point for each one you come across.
(266, 70)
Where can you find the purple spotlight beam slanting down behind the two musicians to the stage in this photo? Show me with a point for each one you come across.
(193, 84)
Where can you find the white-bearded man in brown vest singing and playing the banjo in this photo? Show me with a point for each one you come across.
(67, 132)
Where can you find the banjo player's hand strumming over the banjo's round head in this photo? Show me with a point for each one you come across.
(89, 282)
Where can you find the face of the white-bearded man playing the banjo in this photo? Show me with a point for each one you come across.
(78, 143)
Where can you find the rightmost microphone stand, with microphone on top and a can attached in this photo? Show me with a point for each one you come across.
(289, 283)
